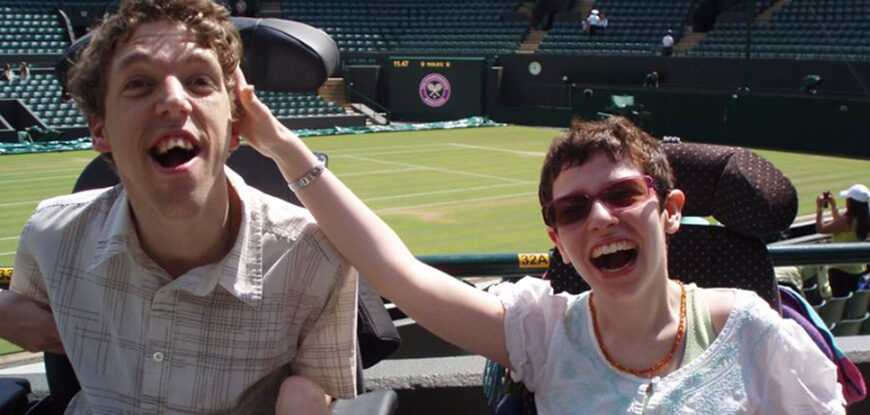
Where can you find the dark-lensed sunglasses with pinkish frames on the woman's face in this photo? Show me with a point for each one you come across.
(617, 195)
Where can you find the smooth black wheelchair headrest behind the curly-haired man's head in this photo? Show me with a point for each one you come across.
(279, 55)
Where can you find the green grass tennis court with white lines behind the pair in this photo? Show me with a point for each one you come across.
(444, 191)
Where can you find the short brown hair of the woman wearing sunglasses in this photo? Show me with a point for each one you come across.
(615, 137)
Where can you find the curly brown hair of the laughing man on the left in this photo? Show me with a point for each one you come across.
(208, 20)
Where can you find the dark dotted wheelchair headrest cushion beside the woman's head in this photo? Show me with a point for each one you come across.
(742, 190)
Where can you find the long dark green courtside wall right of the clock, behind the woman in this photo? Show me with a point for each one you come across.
(805, 123)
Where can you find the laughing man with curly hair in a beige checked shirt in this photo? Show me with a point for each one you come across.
(182, 289)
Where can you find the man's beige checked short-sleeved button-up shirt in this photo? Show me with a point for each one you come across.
(218, 339)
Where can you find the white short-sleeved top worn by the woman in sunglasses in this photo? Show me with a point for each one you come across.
(758, 364)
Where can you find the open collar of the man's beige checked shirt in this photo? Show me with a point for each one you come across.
(240, 272)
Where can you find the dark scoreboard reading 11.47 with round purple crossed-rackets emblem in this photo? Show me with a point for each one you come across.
(435, 88)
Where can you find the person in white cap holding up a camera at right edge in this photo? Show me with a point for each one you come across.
(851, 226)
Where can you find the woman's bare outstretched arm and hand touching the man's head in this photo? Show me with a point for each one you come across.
(456, 312)
